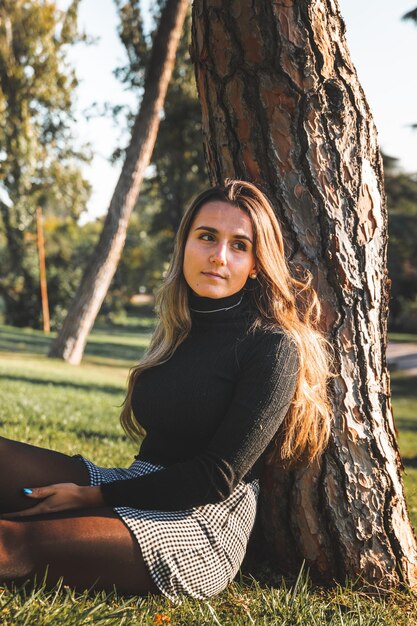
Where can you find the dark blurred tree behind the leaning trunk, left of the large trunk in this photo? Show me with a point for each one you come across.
(177, 169)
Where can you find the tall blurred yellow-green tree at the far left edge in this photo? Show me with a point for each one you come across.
(39, 161)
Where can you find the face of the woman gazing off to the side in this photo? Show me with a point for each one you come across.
(219, 251)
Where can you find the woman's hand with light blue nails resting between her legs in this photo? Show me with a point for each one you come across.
(59, 497)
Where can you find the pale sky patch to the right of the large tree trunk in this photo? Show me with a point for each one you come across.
(383, 48)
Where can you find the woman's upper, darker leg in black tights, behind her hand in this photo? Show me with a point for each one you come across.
(23, 465)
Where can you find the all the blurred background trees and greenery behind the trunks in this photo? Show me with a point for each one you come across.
(42, 165)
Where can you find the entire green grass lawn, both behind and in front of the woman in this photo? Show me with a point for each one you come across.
(75, 409)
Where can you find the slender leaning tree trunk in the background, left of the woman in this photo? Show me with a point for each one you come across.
(94, 285)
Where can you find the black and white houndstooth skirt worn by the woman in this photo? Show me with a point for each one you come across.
(194, 552)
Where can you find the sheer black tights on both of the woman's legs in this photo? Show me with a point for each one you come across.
(88, 548)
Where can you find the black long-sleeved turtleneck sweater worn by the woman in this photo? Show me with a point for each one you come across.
(211, 410)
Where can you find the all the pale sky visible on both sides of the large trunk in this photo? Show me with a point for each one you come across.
(383, 48)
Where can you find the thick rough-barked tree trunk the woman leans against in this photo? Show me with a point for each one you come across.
(282, 105)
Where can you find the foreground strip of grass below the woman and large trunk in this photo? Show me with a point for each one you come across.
(243, 604)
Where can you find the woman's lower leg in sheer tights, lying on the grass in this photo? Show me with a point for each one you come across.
(88, 549)
